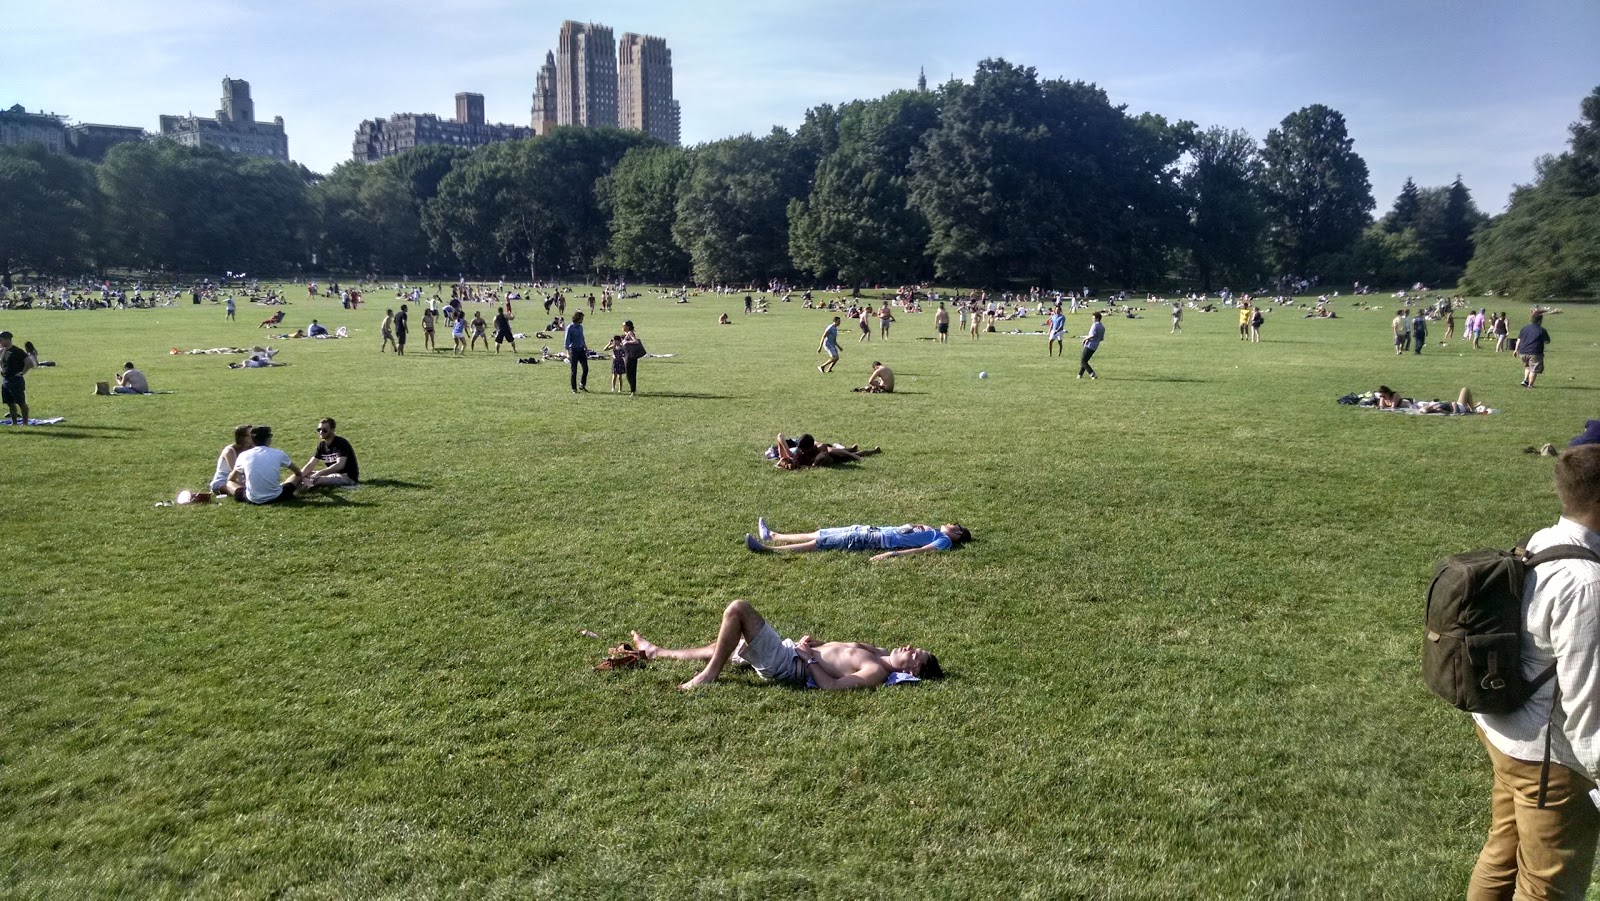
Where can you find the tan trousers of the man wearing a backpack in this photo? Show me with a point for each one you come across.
(1535, 854)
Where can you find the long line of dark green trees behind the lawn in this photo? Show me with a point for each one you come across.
(1009, 178)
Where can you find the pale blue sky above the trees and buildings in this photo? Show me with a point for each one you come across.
(1430, 89)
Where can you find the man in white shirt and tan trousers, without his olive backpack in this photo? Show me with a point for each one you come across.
(1545, 823)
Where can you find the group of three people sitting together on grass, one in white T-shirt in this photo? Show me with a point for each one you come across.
(250, 468)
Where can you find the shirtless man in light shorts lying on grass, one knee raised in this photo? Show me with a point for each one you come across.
(746, 638)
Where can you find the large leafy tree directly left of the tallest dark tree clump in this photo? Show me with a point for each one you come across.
(858, 223)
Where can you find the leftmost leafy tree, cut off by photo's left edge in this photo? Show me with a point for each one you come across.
(49, 212)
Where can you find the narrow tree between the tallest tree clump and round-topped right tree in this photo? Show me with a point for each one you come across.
(1226, 212)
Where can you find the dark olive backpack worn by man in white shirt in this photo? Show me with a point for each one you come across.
(1473, 647)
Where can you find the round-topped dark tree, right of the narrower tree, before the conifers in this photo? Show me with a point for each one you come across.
(1318, 190)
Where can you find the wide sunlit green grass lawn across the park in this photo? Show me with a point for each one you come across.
(1183, 655)
